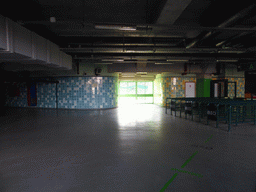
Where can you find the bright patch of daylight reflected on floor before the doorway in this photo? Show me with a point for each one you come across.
(139, 125)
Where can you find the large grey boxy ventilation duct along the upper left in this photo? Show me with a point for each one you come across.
(19, 45)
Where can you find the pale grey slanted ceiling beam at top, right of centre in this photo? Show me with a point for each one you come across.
(172, 10)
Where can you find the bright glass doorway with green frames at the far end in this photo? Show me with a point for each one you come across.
(135, 92)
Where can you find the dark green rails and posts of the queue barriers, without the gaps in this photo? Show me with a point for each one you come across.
(205, 102)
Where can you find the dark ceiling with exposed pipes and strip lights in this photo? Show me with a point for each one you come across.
(149, 31)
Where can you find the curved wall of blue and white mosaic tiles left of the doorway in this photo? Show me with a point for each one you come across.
(75, 93)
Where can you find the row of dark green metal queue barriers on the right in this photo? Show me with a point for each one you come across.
(231, 111)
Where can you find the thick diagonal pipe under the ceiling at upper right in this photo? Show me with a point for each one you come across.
(230, 21)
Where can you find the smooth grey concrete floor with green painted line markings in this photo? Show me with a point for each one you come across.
(135, 148)
